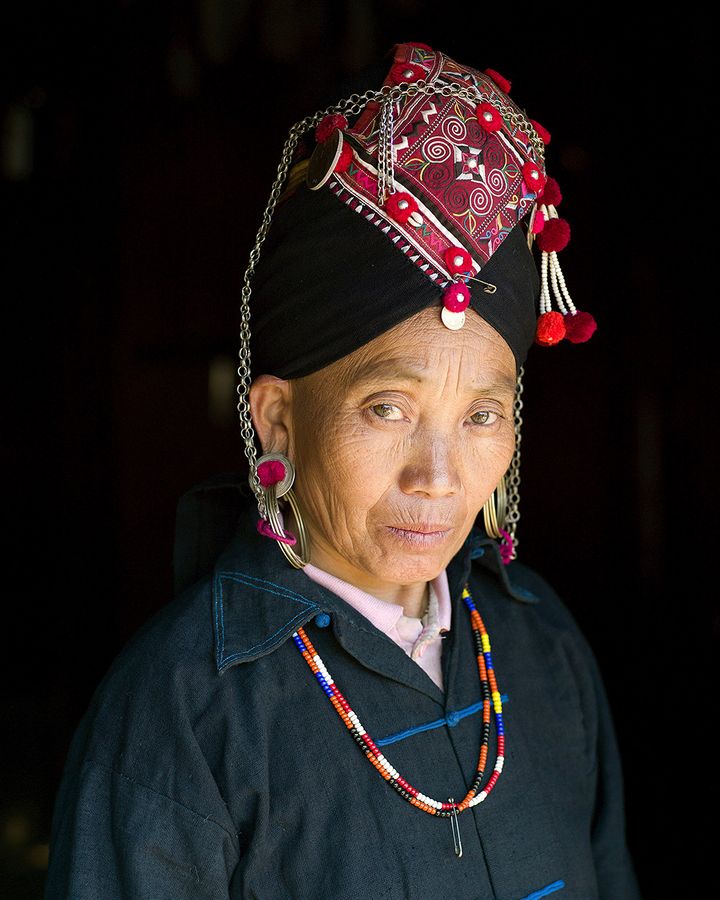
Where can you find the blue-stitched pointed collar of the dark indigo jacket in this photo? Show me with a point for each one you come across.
(259, 600)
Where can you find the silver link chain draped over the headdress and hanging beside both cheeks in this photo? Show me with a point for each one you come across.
(387, 96)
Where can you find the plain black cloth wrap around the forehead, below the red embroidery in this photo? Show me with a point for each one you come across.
(328, 282)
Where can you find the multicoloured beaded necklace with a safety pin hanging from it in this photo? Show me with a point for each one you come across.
(490, 699)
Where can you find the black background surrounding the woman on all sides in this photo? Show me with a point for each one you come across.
(139, 142)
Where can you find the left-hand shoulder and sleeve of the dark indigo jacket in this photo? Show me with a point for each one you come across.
(138, 811)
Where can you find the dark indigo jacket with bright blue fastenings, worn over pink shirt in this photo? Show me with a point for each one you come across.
(211, 764)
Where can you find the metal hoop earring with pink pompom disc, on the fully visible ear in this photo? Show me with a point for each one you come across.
(276, 475)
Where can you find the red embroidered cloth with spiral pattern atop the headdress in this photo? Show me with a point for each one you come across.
(467, 182)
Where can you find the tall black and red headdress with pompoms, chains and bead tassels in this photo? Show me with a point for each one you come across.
(430, 190)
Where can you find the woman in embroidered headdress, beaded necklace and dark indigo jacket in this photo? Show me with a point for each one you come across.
(388, 306)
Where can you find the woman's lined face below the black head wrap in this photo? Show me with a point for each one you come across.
(398, 445)
